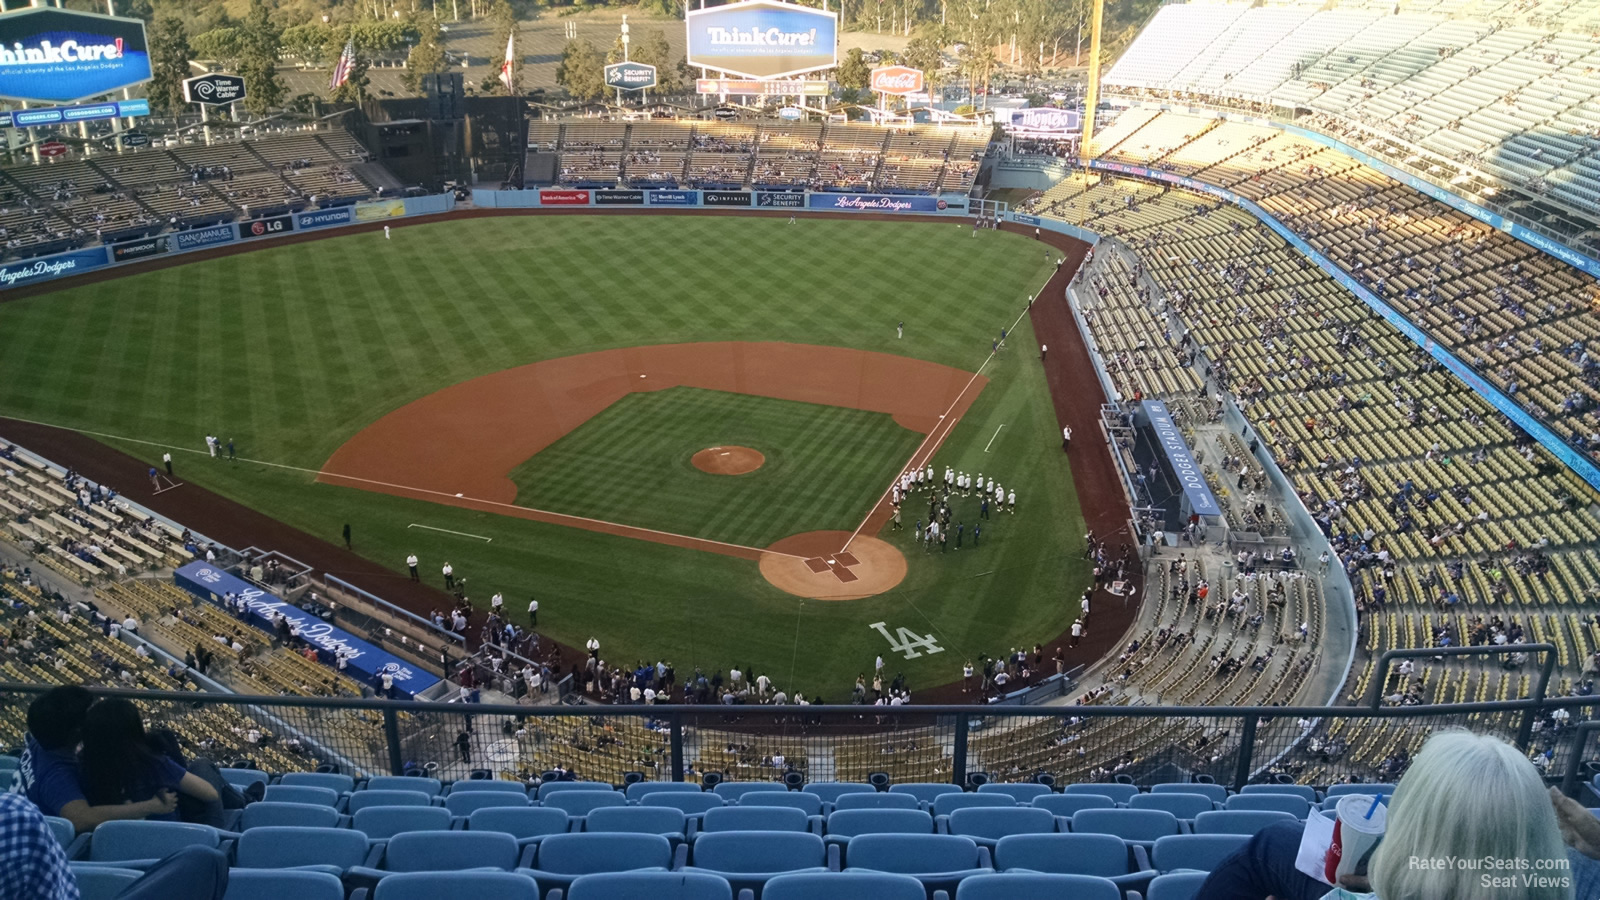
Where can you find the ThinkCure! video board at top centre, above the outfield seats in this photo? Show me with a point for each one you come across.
(764, 39)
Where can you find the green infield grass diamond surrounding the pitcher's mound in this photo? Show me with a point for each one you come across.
(631, 464)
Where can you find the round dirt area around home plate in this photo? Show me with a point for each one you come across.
(815, 568)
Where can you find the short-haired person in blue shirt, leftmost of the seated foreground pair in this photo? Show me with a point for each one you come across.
(50, 768)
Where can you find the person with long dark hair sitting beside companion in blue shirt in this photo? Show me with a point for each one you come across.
(122, 765)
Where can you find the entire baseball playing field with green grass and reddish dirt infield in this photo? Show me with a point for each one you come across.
(628, 417)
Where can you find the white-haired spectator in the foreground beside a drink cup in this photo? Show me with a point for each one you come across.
(1470, 821)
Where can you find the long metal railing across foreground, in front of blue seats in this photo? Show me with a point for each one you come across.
(1231, 745)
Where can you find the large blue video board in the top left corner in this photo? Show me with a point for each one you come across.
(57, 55)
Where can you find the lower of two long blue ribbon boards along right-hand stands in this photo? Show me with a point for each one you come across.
(1572, 459)
